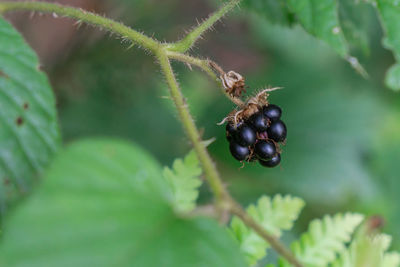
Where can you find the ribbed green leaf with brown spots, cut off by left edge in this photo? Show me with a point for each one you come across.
(29, 134)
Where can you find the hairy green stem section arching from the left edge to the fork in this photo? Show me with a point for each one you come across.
(87, 17)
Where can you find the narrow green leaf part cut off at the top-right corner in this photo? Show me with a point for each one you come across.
(389, 12)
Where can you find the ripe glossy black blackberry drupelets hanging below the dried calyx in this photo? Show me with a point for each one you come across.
(257, 137)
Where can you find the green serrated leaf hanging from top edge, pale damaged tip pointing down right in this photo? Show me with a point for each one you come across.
(321, 19)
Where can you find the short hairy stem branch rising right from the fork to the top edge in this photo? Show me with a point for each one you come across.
(190, 39)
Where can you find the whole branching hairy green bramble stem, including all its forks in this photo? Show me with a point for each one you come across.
(163, 53)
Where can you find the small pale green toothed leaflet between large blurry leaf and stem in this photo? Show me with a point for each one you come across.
(184, 179)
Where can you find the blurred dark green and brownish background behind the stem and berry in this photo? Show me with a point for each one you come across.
(343, 148)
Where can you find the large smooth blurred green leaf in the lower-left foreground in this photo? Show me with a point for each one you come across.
(105, 203)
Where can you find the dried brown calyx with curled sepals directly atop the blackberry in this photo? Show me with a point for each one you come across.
(253, 105)
